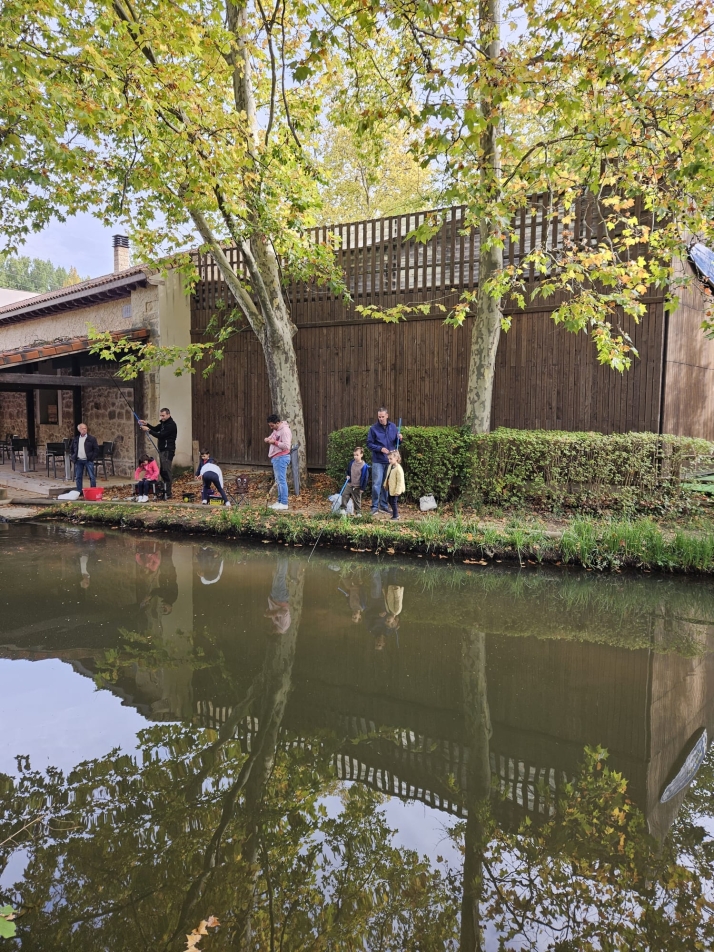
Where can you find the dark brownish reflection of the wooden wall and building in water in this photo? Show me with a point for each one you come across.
(437, 692)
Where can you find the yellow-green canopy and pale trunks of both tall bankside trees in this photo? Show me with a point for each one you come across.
(204, 117)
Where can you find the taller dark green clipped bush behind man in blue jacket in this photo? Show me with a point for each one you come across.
(436, 459)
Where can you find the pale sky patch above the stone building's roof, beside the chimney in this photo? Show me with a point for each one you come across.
(81, 241)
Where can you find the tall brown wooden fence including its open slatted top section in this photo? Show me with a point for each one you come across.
(349, 364)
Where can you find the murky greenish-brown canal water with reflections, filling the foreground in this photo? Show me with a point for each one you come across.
(260, 751)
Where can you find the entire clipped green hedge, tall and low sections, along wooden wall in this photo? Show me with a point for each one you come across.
(551, 467)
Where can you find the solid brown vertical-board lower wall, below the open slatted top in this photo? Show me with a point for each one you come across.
(545, 378)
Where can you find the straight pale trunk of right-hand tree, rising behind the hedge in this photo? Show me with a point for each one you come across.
(487, 323)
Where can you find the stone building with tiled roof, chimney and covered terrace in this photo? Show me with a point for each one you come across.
(49, 381)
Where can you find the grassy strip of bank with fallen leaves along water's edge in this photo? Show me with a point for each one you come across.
(595, 544)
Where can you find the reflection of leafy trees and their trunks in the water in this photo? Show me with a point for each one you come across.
(250, 823)
